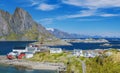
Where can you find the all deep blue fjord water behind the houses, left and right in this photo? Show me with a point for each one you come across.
(7, 46)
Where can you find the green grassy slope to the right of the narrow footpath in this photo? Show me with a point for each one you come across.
(104, 64)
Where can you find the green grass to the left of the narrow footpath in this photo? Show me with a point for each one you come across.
(70, 61)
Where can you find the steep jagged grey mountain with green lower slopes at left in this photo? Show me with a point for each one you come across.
(21, 26)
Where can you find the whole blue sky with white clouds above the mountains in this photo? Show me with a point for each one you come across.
(89, 17)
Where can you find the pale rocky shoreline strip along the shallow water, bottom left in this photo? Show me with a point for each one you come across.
(30, 64)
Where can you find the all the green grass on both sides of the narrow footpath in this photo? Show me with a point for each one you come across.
(101, 64)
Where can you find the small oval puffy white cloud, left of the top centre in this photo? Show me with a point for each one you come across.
(47, 7)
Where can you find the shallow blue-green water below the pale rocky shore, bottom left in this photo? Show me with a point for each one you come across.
(11, 69)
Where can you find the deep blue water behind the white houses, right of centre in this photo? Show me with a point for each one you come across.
(115, 42)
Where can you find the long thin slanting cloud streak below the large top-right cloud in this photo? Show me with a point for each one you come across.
(83, 13)
